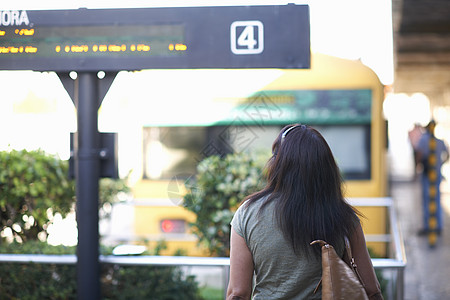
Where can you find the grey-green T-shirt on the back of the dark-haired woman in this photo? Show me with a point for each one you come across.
(281, 274)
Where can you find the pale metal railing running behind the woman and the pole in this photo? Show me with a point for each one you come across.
(395, 263)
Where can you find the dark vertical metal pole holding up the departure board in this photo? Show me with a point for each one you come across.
(87, 166)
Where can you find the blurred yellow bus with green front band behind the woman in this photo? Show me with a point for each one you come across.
(343, 99)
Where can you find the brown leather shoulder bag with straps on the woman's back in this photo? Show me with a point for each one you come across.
(339, 280)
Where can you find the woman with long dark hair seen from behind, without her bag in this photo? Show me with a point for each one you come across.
(303, 201)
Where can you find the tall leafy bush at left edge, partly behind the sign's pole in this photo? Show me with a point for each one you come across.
(34, 187)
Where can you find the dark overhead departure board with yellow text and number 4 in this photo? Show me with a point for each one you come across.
(154, 38)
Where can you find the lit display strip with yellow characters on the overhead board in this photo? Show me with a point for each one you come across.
(95, 41)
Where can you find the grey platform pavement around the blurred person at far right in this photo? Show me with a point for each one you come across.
(427, 270)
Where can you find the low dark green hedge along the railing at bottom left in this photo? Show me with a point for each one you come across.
(56, 281)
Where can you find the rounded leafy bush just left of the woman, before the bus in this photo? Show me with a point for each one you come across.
(218, 188)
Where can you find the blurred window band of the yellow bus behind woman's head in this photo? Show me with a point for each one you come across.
(174, 151)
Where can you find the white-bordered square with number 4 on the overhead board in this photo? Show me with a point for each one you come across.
(247, 37)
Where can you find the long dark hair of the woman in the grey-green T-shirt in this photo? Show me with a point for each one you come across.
(304, 180)
